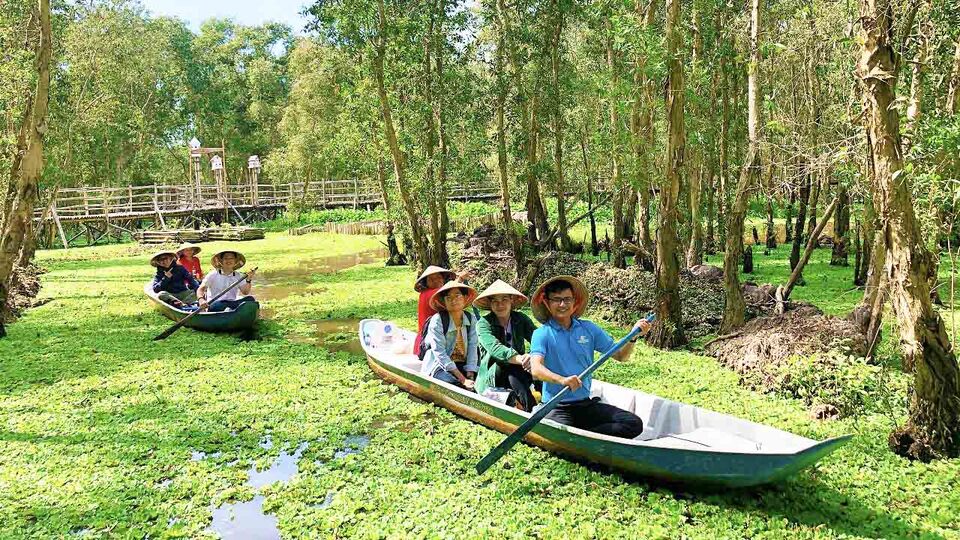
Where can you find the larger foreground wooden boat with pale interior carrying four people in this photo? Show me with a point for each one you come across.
(680, 443)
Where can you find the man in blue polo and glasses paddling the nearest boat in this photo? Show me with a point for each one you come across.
(563, 347)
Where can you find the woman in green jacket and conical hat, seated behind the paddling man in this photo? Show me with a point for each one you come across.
(502, 334)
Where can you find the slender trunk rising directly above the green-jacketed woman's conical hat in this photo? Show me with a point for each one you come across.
(502, 91)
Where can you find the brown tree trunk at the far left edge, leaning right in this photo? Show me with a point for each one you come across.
(19, 221)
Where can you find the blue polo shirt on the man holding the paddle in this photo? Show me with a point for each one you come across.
(568, 352)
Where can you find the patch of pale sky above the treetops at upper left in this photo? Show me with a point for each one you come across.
(248, 12)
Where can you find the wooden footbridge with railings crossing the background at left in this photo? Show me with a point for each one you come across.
(104, 213)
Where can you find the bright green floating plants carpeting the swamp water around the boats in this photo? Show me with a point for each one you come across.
(98, 423)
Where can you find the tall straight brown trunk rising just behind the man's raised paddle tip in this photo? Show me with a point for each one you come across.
(668, 330)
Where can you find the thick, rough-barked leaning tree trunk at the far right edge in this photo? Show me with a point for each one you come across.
(934, 425)
